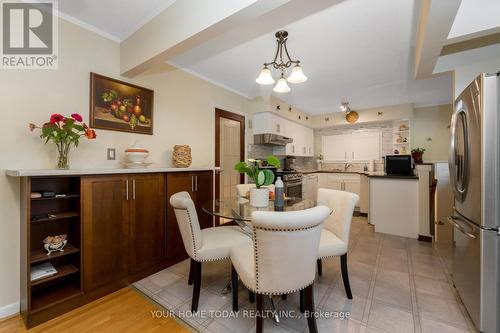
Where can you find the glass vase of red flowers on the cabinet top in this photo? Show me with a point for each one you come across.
(64, 132)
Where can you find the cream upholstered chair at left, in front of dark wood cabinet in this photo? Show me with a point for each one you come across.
(203, 245)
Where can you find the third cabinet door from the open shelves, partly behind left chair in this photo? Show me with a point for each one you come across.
(176, 182)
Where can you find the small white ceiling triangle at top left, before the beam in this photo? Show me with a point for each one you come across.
(116, 19)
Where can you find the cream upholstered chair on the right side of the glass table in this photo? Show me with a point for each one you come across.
(335, 235)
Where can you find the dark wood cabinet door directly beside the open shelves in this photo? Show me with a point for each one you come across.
(105, 230)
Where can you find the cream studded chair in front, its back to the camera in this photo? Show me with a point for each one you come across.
(281, 259)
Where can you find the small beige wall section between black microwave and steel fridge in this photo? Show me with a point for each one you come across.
(432, 123)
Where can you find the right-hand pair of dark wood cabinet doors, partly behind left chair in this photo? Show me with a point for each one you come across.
(199, 185)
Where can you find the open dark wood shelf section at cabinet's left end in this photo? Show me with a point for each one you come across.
(41, 296)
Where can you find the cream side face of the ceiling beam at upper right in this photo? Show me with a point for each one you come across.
(434, 25)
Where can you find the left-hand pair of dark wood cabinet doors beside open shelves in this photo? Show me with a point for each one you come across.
(123, 226)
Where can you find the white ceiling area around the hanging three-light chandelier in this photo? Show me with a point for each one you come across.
(355, 50)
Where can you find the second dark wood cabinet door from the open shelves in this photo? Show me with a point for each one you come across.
(147, 221)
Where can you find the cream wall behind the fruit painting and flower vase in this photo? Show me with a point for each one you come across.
(183, 114)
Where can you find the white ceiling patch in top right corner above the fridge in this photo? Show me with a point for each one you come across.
(475, 16)
